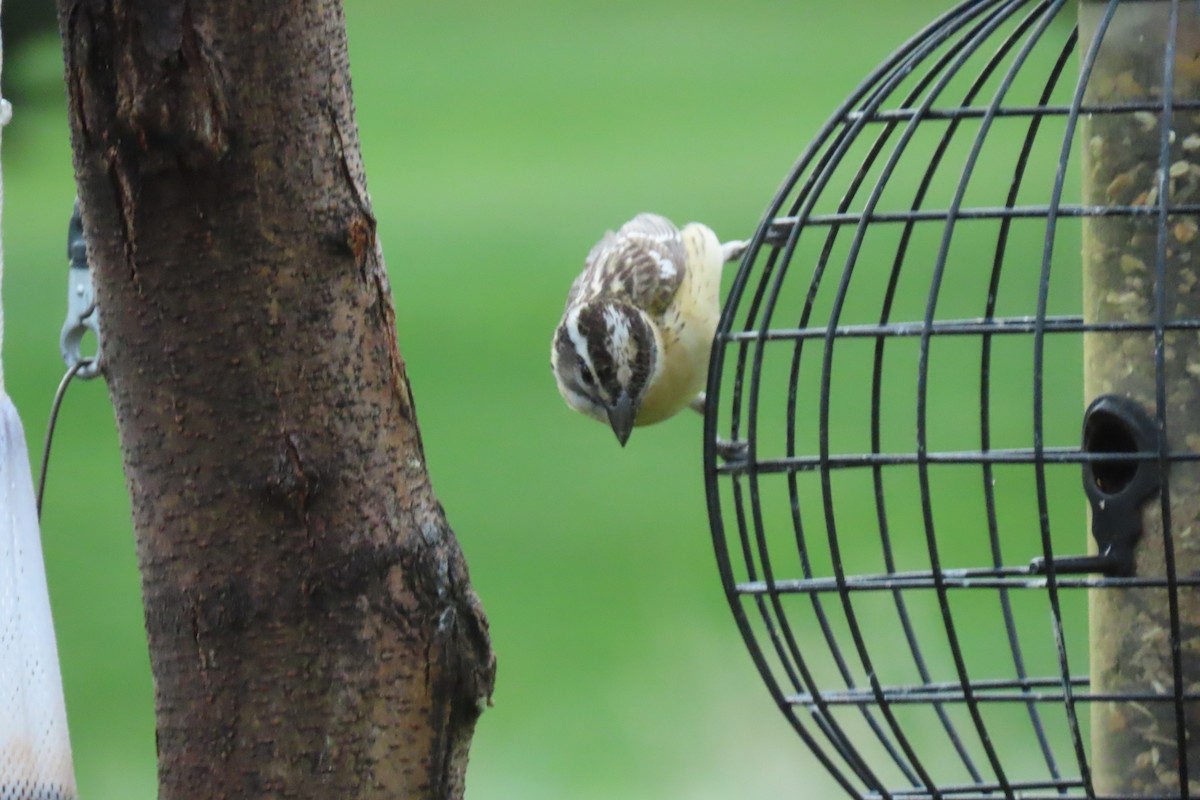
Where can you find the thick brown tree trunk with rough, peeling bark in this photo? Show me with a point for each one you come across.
(311, 624)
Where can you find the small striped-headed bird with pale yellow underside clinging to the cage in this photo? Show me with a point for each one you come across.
(633, 346)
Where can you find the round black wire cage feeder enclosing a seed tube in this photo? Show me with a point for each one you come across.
(963, 352)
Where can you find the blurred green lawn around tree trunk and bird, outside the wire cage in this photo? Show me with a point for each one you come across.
(501, 143)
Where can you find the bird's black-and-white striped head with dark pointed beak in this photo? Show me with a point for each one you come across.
(605, 357)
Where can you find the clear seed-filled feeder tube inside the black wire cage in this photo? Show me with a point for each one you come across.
(1142, 267)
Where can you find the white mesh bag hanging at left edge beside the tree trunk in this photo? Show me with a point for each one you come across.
(35, 751)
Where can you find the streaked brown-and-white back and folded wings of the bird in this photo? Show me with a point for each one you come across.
(644, 262)
